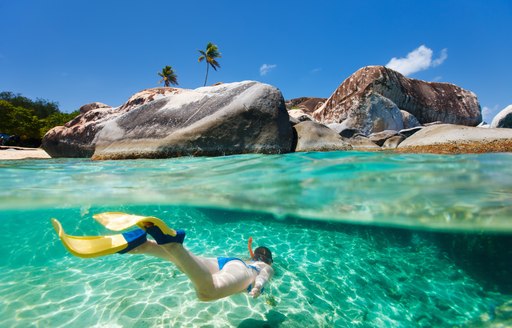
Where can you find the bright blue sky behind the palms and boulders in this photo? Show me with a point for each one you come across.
(76, 52)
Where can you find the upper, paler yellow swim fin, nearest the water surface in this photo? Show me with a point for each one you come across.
(118, 221)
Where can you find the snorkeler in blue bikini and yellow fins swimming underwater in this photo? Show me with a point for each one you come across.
(213, 278)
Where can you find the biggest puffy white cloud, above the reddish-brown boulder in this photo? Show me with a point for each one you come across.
(417, 60)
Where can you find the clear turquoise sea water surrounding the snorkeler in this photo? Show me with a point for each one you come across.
(360, 240)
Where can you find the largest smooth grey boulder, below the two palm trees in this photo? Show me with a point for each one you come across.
(235, 118)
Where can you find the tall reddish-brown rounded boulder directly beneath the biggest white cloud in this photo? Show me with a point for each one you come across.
(426, 101)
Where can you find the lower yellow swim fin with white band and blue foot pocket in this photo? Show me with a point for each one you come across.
(94, 246)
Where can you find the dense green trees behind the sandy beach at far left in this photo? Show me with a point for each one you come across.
(28, 119)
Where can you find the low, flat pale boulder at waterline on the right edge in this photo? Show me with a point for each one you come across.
(455, 139)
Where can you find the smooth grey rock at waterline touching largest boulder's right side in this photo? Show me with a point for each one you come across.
(312, 136)
